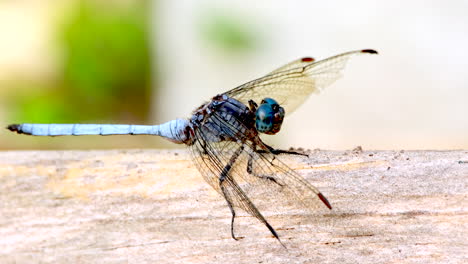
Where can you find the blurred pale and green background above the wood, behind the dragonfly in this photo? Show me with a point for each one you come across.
(146, 62)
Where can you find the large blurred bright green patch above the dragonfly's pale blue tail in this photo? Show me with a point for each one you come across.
(104, 73)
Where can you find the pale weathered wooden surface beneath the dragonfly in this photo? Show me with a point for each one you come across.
(152, 206)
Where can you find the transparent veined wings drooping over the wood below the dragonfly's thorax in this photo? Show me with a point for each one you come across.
(268, 173)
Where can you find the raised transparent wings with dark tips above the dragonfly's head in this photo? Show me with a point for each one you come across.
(291, 84)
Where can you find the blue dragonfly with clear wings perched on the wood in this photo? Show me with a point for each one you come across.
(223, 135)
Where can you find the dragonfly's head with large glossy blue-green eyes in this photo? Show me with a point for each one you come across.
(269, 117)
